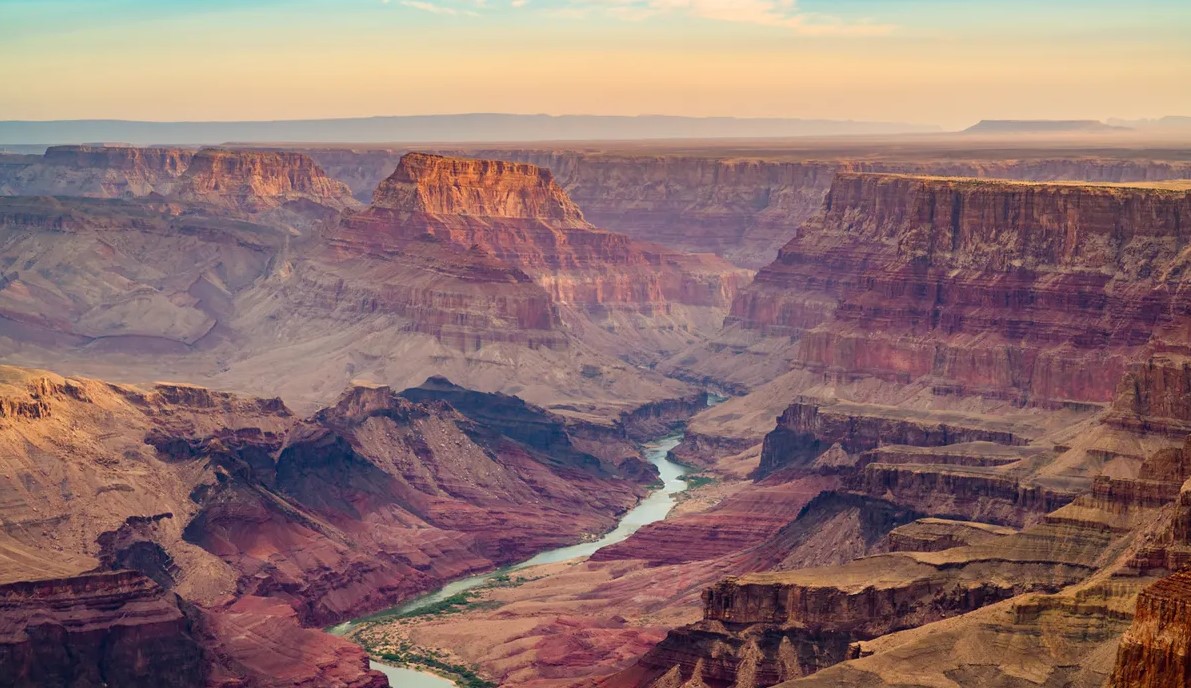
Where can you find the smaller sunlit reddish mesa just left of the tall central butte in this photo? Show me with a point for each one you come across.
(258, 180)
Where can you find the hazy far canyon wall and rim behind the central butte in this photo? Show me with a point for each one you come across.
(743, 208)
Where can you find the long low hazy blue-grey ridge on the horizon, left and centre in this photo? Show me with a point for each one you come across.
(438, 128)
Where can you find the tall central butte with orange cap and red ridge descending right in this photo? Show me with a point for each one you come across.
(519, 215)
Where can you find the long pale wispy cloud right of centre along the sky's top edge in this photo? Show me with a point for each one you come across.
(784, 14)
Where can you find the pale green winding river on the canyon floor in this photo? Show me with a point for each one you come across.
(652, 509)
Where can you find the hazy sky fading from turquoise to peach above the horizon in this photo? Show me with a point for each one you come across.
(947, 62)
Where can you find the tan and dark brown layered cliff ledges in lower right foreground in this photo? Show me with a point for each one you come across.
(872, 622)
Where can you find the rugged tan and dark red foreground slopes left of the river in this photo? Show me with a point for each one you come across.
(169, 521)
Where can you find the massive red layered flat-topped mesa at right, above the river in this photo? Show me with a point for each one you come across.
(1036, 292)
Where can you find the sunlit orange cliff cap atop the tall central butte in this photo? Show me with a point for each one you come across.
(445, 186)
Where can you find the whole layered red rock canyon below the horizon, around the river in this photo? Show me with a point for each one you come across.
(956, 414)
